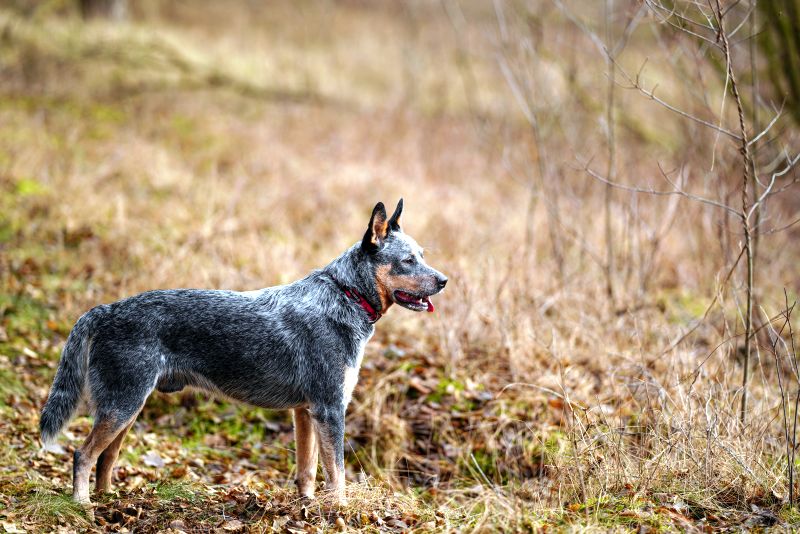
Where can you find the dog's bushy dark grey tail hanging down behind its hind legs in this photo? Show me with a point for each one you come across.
(68, 385)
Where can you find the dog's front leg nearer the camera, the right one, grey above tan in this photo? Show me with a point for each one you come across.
(329, 423)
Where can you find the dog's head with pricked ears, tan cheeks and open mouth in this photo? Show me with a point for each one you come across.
(397, 264)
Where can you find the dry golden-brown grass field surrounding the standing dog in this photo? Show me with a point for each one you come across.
(176, 151)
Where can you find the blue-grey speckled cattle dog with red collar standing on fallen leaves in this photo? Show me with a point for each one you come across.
(295, 346)
